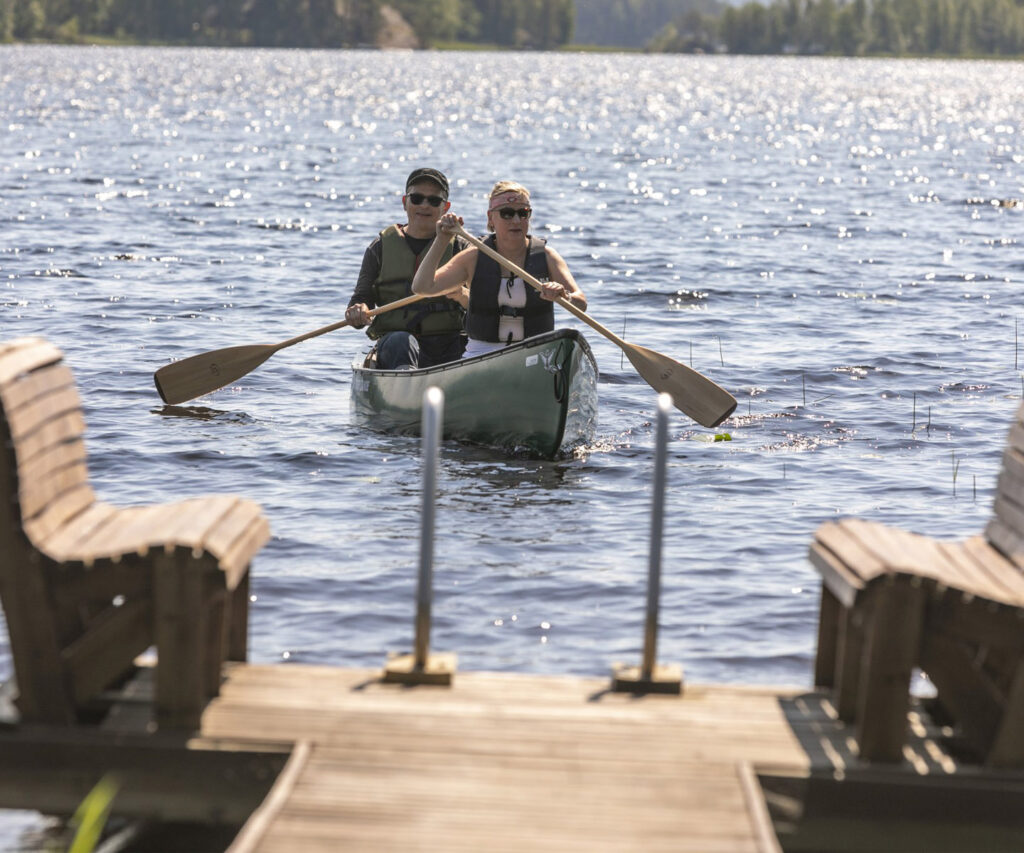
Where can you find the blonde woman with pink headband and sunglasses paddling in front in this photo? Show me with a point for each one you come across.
(502, 309)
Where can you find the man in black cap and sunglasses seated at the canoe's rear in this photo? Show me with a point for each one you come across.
(425, 333)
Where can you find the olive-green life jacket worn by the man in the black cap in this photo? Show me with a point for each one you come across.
(439, 316)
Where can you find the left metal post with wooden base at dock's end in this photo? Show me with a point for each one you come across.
(421, 667)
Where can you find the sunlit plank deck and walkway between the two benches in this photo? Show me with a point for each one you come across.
(506, 762)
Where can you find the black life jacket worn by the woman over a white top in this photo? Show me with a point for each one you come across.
(485, 313)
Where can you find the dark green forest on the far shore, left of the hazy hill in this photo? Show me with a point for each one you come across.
(537, 24)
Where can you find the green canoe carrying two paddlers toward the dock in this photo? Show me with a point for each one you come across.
(537, 397)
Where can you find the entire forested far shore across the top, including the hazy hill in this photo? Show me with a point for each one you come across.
(855, 28)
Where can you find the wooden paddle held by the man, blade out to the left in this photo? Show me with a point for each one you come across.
(207, 372)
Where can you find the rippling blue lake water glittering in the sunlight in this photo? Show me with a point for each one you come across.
(837, 242)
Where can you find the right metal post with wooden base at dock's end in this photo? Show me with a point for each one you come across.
(652, 677)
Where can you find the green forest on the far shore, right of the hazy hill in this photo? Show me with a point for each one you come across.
(855, 28)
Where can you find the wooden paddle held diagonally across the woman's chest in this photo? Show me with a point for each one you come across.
(692, 393)
